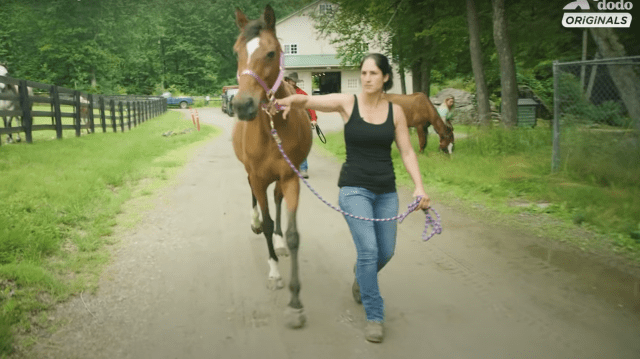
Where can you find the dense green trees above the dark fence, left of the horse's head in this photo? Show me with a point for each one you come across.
(138, 47)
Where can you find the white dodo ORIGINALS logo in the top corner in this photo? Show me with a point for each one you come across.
(604, 18)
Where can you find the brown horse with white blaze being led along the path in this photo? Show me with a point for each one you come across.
(259, 54)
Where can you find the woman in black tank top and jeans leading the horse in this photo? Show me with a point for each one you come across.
(367, 181)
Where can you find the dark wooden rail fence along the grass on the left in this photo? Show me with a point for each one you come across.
(114, 111)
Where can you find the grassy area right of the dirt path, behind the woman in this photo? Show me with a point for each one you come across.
(503, 173)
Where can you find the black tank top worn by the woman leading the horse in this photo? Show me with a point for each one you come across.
(368, 163)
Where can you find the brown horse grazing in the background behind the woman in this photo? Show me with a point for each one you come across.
(421, 114)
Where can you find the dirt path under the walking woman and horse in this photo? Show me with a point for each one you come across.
(190, 282)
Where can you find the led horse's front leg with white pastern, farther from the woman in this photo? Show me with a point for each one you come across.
(260, 193)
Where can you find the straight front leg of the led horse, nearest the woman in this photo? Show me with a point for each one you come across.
(294, 314)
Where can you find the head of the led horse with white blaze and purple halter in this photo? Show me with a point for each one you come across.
(259, 62)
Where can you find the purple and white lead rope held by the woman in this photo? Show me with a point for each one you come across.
(435, 224)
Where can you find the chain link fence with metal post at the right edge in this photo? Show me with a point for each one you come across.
(596, 117)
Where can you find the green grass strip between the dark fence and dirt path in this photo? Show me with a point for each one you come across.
(60, 202)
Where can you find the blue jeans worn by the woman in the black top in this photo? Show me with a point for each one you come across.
(375, 241)
